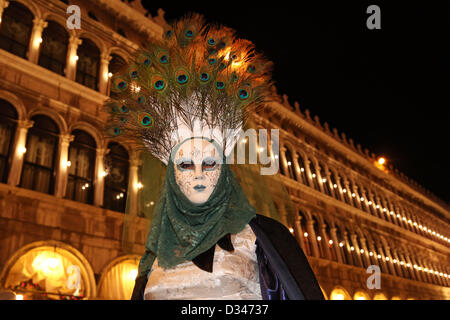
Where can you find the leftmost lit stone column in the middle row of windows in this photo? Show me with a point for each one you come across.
(19, 151)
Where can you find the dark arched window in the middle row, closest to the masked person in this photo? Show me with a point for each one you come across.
(116, 180)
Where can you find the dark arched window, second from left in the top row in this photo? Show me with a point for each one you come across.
(55, 40)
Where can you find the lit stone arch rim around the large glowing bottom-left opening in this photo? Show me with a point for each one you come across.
(86, 268)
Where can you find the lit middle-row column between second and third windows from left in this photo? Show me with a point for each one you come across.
(62, 171)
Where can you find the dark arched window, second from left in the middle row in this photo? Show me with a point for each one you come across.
(38, 172)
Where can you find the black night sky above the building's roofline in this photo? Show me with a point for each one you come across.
(387, 89)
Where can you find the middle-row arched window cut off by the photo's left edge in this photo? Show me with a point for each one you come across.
(8, 118)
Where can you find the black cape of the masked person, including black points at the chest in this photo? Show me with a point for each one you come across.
(284, 271)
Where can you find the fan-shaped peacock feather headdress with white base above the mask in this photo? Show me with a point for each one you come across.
(199, 79)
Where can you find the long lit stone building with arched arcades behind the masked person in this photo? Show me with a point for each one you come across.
(64, 185)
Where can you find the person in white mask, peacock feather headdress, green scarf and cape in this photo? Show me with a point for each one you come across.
(185, 99)
